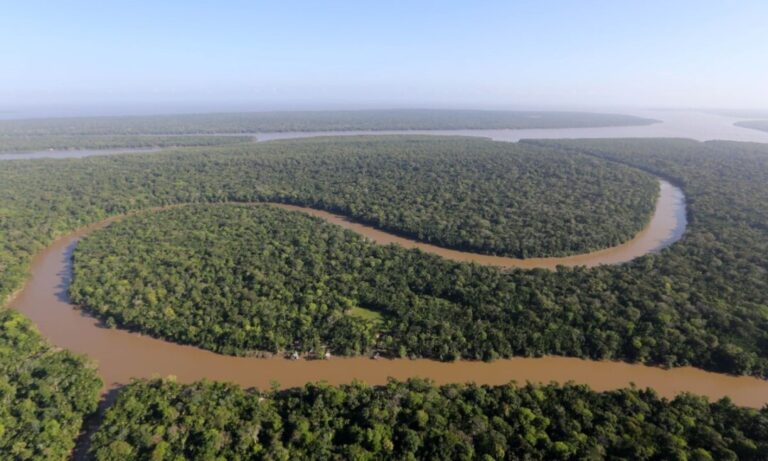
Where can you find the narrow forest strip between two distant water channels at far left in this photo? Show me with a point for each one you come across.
(69, 142)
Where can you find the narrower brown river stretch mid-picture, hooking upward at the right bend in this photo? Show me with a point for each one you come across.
(666, 227)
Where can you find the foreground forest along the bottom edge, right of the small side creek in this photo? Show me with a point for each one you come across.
(416, 420)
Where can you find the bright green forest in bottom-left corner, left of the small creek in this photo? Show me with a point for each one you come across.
(44, 394)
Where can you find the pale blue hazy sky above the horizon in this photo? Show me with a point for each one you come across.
(199, 55)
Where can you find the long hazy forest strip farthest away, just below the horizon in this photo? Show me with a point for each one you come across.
(253, 122)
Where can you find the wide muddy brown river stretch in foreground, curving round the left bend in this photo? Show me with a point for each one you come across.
(122, 355)
